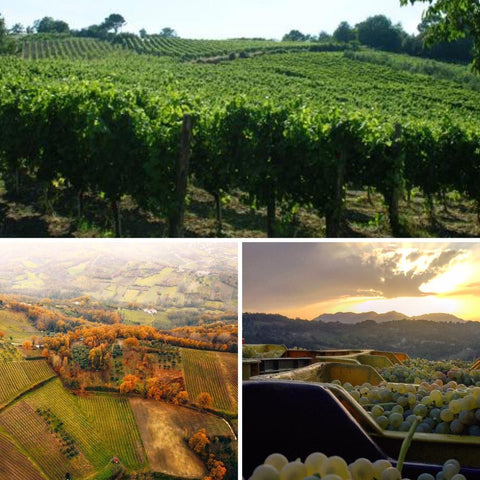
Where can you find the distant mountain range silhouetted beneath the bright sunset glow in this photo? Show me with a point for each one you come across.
(351, 318)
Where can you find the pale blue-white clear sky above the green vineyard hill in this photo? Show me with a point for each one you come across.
(215, 19)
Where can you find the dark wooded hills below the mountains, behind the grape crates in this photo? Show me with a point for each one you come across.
(417, 338)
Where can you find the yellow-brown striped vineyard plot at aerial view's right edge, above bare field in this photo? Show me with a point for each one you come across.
(214, 373)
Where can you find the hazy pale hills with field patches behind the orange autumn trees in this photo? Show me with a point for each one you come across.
(189, 275)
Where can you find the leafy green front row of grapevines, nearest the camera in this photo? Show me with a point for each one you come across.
(92, 137)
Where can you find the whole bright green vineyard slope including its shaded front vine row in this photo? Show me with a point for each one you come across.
(288, 129)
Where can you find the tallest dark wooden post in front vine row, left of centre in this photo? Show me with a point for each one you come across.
(178, 213)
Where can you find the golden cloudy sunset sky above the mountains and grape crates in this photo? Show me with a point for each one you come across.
(305, 280)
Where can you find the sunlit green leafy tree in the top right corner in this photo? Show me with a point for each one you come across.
(452, 19)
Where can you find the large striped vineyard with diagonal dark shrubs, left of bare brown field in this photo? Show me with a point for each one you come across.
(72, 434)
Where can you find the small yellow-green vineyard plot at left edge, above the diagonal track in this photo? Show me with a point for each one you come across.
(19, 377)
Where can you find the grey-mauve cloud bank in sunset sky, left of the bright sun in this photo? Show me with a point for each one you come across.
(289, 275)
